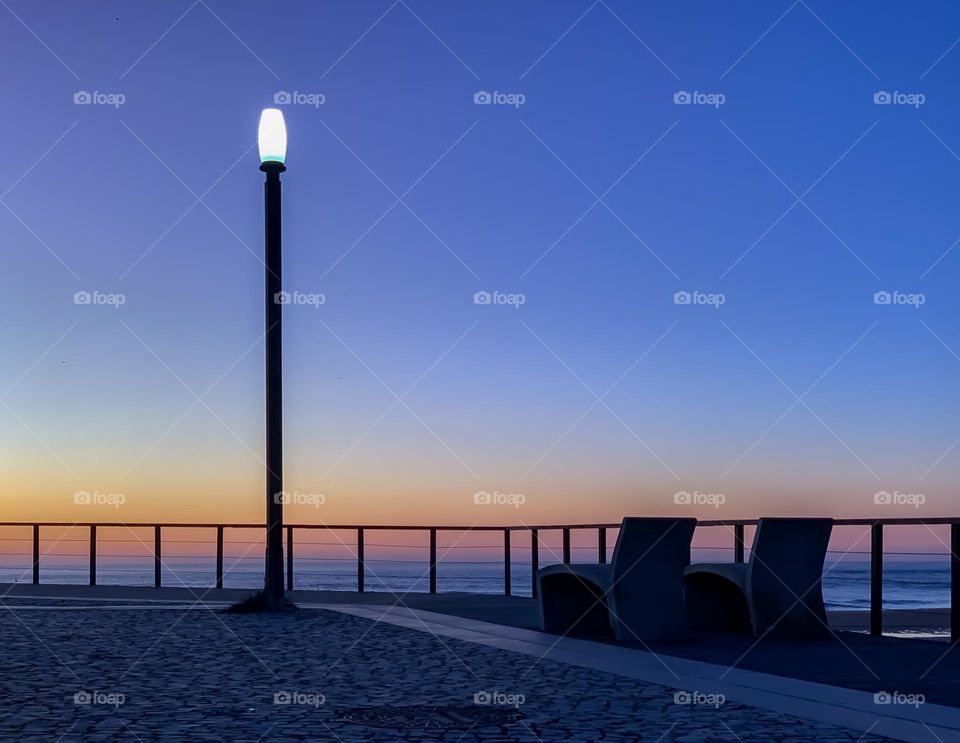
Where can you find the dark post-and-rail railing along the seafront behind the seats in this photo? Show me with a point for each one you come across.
(735, 525)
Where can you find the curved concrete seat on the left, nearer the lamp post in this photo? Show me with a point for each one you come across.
(637, 597)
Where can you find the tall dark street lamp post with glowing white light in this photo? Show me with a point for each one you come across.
(272, 141)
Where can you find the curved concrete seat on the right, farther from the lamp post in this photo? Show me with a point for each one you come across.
(779, 592)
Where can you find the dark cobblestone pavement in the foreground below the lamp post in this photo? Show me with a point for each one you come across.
(160, 673)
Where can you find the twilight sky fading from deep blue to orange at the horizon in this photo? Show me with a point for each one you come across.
(782, 196)
